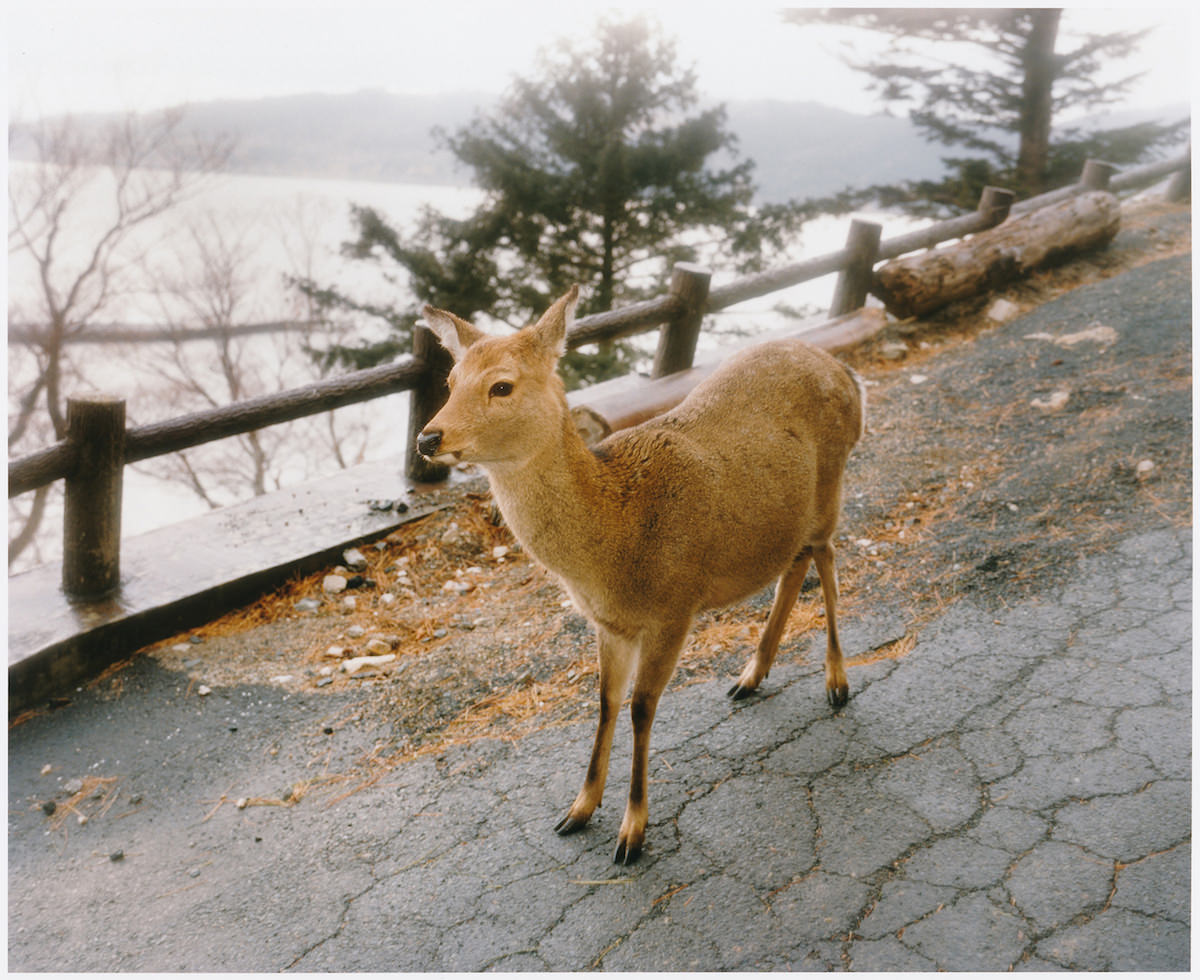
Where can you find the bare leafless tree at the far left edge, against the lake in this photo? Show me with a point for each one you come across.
(74, 223)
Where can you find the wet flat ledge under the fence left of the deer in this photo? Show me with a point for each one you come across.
(179, 578)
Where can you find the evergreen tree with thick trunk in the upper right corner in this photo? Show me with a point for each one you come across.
(997, 95)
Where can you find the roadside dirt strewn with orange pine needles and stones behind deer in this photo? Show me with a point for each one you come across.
(997, 455)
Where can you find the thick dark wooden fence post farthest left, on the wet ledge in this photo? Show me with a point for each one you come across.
(92, 521)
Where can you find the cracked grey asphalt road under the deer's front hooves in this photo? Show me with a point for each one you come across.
(1012, 792)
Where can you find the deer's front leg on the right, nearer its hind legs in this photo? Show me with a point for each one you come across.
(657, 663)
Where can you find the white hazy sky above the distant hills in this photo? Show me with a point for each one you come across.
(98, 56)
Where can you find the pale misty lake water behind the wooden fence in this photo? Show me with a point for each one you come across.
(230, 248)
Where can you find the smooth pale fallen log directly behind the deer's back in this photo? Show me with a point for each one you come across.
(627, 401)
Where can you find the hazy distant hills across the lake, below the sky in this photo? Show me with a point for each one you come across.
(801, 149)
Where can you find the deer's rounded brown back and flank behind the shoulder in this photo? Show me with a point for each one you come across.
(723, 492)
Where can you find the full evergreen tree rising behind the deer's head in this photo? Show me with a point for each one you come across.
(601, 170)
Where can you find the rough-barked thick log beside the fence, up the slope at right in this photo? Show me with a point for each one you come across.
(922, 284)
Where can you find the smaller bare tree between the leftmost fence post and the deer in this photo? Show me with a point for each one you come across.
(218, 285)
